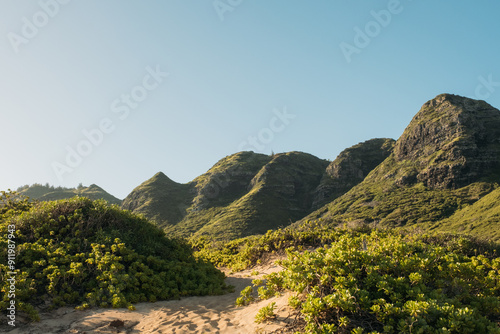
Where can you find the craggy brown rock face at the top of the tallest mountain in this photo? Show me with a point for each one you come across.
(453, 141)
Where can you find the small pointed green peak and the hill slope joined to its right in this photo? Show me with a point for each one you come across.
(182, 209)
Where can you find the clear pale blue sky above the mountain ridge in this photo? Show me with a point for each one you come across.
(336, 72)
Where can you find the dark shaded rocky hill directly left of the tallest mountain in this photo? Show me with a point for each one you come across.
(350, 168)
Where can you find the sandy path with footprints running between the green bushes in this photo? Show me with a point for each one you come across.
(210, 314)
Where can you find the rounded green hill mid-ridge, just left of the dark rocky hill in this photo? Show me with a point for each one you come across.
(277, 195)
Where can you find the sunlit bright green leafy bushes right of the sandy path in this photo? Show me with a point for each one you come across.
(384, 282)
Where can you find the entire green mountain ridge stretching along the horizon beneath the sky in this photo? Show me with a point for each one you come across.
(446, 160)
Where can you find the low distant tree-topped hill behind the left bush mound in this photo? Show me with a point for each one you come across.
(50, 193)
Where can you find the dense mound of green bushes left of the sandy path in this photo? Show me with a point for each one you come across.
(89, 253)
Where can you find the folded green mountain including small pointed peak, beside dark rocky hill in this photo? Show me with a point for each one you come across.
(242, 194)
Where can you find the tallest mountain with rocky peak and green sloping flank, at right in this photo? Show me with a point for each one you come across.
(446, 159)
